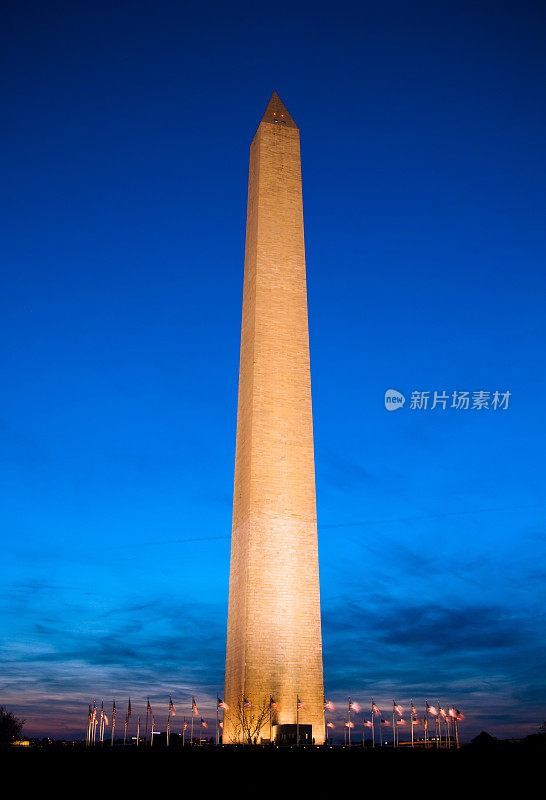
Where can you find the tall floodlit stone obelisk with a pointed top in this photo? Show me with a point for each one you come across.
(274, 645)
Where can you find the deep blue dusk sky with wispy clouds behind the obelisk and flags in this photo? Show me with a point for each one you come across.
(124, 153)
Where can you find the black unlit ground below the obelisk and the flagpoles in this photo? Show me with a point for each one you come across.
(259, 770)
